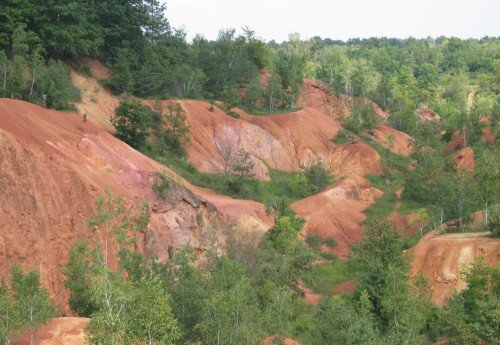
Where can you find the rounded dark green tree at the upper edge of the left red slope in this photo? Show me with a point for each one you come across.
(132, 122)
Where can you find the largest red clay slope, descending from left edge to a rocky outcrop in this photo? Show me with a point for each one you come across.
(52, 168)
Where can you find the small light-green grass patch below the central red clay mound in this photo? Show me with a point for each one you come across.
(322, 279)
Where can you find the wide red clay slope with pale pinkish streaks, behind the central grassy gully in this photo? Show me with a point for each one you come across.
(288, 142)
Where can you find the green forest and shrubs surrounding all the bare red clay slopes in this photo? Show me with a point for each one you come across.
(248, 292)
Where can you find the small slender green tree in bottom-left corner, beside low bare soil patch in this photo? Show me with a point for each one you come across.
(32, 301)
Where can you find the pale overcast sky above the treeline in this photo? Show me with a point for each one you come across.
(338, 19)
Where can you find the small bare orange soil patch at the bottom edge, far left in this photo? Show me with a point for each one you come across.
(58, 331)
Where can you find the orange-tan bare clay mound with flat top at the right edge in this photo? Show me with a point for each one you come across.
(442, 258)
